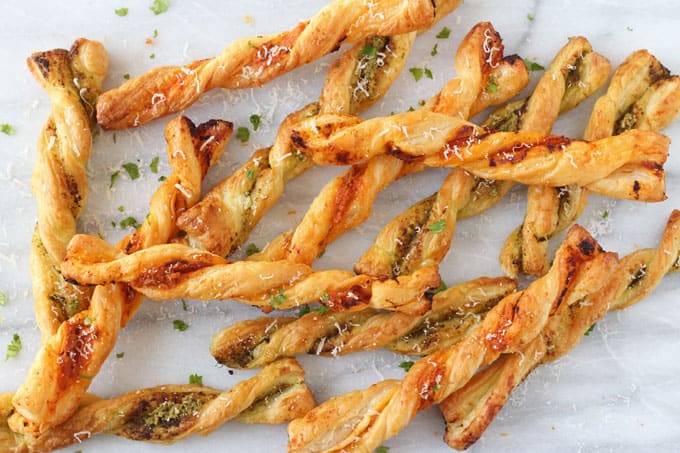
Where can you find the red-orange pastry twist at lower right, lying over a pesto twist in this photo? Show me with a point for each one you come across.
(578, 274)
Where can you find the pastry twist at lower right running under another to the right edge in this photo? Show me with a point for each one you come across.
(470, 410)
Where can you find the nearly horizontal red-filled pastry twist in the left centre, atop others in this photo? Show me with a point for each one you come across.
(174, 271)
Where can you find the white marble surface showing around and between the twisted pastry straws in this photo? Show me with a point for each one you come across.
(617, 391)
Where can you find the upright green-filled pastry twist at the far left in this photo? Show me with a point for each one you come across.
(73, 80)
